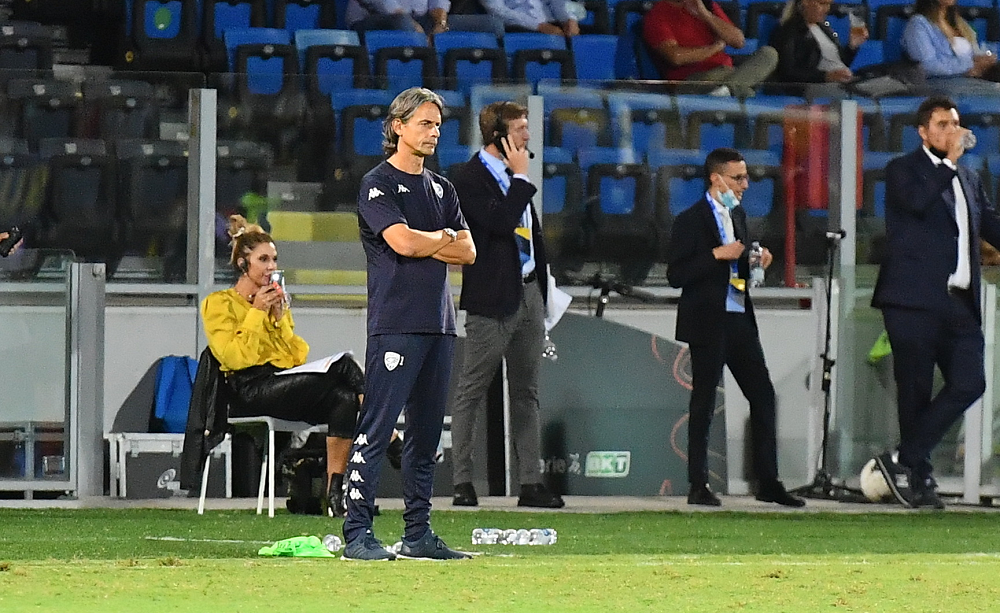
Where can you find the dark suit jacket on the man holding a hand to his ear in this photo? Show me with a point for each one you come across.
(492, 287)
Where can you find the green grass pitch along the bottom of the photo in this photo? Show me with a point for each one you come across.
(159, 560)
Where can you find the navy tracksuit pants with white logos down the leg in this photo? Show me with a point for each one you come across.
(402, 372)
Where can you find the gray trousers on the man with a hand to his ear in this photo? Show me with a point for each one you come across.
(517, 339)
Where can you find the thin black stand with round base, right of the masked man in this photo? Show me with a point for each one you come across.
(823, 486)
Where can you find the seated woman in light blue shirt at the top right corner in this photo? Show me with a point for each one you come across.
(945, 46)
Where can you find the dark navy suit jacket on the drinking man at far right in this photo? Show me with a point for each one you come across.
(921, 233)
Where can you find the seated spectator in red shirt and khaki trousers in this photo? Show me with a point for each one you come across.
(687, 39)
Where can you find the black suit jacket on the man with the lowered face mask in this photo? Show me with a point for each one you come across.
(704, 281)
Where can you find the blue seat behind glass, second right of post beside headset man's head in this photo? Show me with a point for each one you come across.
(646, 122)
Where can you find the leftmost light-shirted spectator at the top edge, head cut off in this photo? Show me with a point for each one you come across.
(424, 16)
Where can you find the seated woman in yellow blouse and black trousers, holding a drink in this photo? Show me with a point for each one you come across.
(251, 332)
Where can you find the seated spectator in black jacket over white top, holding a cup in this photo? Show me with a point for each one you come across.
(809, 51)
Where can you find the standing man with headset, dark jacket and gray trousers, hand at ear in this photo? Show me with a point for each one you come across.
(503, 294)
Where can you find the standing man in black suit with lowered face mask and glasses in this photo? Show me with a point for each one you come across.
(708, 261)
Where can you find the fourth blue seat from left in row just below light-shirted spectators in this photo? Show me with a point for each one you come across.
(467, 59)
